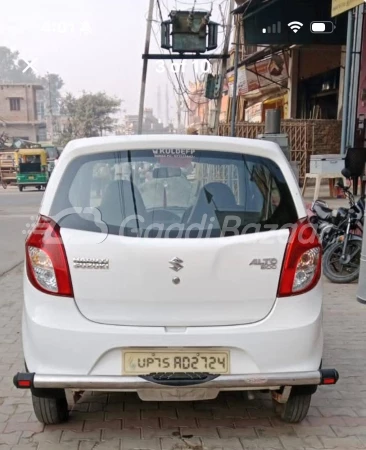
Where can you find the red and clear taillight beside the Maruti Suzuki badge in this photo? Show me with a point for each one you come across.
(46, 261)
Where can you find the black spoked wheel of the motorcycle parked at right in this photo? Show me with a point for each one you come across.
(338, 272)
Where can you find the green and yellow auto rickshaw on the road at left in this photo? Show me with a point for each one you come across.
(31, 165)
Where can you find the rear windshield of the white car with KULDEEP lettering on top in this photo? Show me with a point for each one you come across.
(172, 193)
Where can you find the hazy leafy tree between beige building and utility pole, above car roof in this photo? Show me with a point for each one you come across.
(88, 116)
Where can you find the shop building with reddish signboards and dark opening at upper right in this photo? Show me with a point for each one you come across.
(302, 81)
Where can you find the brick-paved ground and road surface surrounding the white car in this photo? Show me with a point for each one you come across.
(337, 417)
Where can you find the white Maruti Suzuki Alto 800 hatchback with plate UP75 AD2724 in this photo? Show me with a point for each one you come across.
(176, 267)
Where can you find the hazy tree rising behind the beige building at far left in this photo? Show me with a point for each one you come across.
(11, 71)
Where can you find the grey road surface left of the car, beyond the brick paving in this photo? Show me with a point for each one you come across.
(16, 210)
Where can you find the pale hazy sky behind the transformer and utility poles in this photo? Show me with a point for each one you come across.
(96, 45)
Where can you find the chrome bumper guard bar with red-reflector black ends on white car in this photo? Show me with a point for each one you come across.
(247, 381)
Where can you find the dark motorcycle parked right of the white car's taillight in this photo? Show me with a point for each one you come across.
(341, 233)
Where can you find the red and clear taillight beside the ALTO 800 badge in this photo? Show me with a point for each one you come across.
(301, 269)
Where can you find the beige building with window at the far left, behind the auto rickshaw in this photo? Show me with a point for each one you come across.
(19, 116)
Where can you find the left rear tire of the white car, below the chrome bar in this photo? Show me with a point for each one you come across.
(51, 410)
